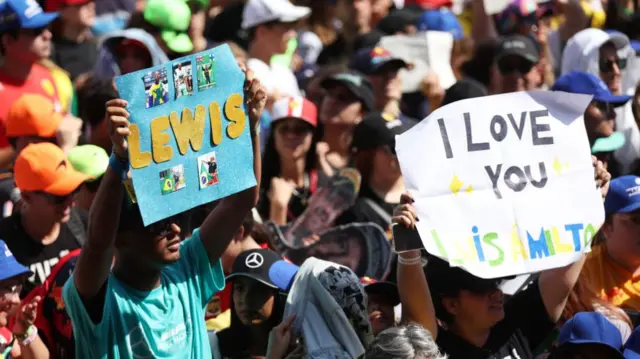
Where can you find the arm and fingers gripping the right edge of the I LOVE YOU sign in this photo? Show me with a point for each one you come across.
(556, 284)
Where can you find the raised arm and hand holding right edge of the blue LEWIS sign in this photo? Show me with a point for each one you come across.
(222, 223)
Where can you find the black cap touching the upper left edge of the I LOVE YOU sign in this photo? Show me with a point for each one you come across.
(378, 129)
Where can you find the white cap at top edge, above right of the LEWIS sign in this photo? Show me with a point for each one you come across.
(258, 12)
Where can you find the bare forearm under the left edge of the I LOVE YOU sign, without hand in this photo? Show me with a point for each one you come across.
(415, 296)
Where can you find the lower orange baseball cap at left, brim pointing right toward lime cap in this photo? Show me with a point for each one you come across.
(43, 167)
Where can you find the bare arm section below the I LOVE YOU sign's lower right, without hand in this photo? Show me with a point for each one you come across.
(555, 286)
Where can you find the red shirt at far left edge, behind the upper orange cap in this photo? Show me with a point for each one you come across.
(39, 81)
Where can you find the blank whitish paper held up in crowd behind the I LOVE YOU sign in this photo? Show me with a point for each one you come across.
(425, 50)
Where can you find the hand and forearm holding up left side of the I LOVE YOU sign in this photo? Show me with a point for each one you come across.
(417, 304)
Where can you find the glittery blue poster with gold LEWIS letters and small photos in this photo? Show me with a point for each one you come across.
(190, 141)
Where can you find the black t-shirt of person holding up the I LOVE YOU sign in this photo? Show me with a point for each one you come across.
(525, 325)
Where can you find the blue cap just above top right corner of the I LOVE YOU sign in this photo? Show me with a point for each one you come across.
(589, 84)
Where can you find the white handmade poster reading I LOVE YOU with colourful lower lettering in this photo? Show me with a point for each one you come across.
(504, 184)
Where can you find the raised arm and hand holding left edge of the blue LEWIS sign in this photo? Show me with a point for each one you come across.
(94, 263)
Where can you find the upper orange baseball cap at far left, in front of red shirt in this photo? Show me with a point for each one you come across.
(32, 115)
